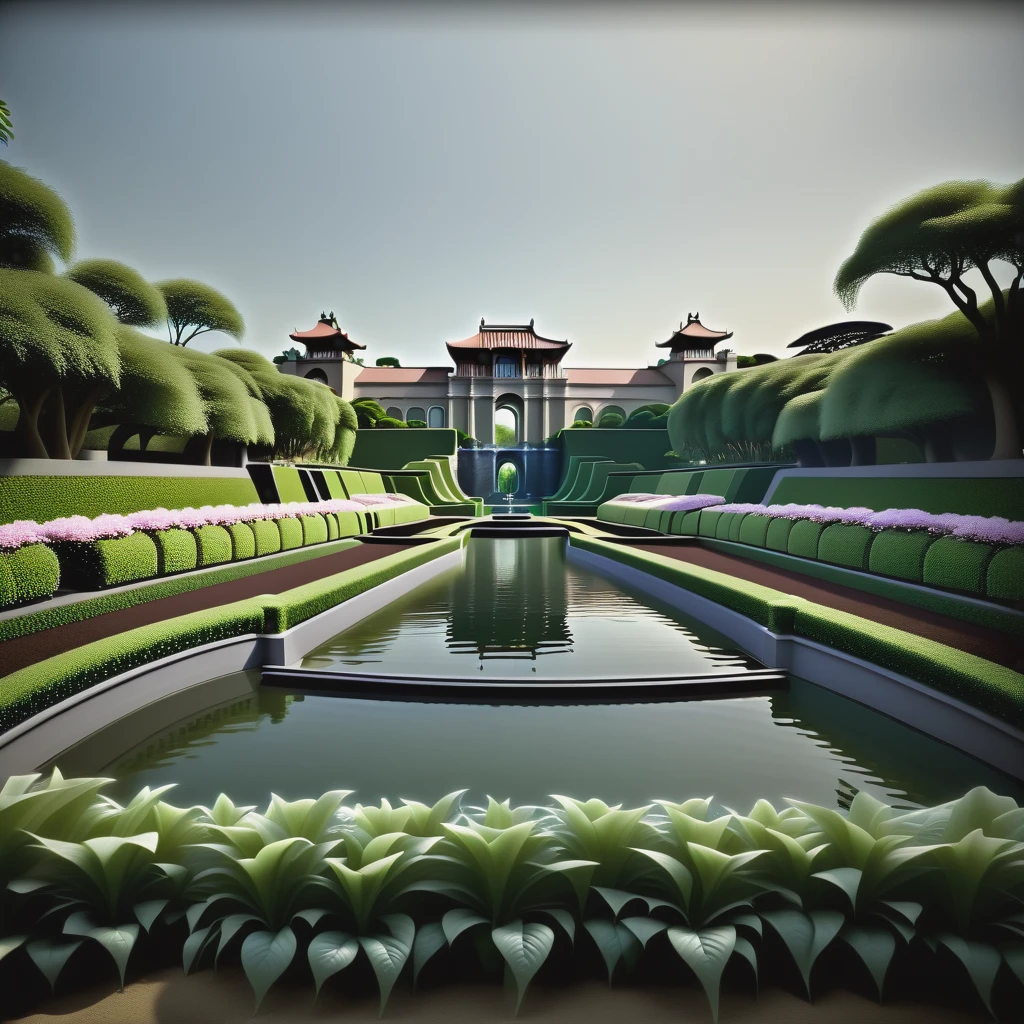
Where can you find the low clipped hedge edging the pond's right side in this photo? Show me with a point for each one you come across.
(974, 680)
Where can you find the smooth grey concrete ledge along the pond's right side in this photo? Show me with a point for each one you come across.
(984, 737)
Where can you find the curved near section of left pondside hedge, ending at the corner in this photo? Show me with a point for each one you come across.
(31, 691)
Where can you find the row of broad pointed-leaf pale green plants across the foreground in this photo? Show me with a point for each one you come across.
(312, 887)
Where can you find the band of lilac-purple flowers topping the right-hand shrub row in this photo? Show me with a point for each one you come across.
(989, 530)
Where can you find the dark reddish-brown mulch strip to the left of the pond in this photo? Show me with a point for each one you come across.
(22, 652)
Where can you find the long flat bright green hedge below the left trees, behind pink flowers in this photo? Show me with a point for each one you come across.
(45, 498)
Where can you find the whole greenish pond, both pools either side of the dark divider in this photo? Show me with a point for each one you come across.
(493, 616)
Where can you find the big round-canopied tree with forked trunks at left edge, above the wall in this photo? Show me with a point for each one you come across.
(58, 349)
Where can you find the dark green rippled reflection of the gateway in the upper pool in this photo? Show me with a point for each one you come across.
(510, 602)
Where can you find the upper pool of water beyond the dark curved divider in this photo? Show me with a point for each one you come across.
(517, 605)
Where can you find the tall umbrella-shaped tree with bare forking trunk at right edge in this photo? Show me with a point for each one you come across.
(938, 236)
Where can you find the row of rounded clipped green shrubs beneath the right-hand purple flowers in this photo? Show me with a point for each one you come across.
(988, 571)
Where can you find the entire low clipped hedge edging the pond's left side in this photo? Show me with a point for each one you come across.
(30, 691)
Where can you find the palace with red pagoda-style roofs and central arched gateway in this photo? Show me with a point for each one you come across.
(510, 367)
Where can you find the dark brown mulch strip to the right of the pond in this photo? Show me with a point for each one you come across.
(989, 644)
